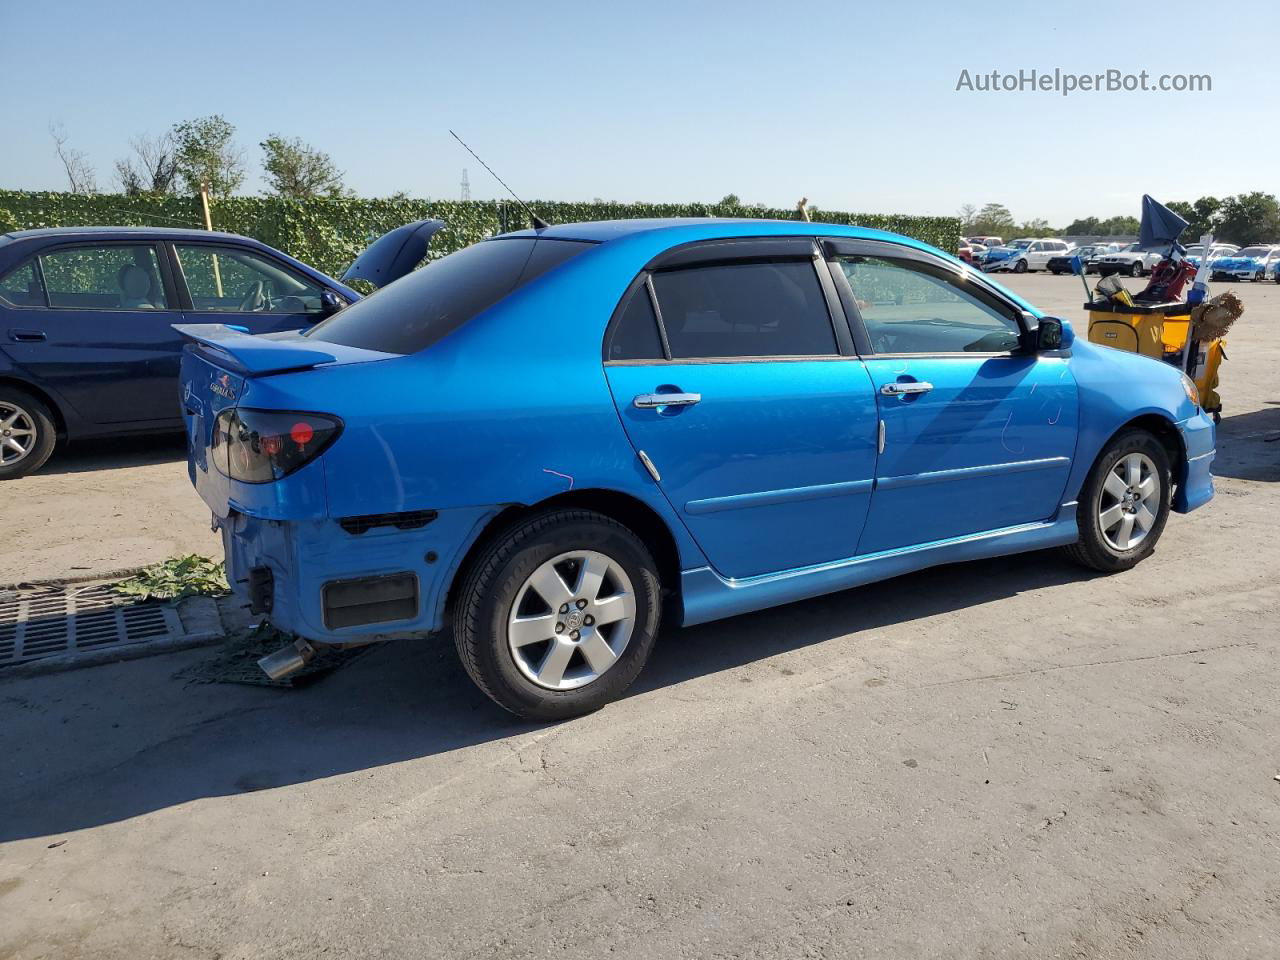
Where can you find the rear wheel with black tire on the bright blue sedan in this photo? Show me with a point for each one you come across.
(559, 615)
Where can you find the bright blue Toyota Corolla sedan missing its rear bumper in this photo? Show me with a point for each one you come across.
(555, 441)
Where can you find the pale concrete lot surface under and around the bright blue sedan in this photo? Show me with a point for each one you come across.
(1004, 760)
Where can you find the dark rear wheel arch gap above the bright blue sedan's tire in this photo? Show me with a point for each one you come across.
(634, 514)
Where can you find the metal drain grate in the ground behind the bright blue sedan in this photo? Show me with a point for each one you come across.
(63, 620)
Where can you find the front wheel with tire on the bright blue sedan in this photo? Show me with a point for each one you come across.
(1124, 505)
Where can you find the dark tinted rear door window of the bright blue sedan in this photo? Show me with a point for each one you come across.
(746, 310)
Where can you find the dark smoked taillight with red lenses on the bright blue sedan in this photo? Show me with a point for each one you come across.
(260, 446)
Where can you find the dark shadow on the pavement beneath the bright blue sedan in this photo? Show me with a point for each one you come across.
(404, 702)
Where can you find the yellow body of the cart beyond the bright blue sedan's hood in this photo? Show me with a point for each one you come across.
(1160, 331)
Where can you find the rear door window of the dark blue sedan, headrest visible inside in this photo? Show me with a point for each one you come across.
(116, 277)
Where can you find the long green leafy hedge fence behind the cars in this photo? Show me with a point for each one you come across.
(330, 234)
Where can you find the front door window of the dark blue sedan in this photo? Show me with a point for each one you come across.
(231, 280)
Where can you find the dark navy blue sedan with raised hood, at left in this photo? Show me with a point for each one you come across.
(88, 346)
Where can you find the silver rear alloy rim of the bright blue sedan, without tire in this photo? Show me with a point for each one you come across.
(572, 620)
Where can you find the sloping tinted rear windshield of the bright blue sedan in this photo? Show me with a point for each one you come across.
(418, 310)
